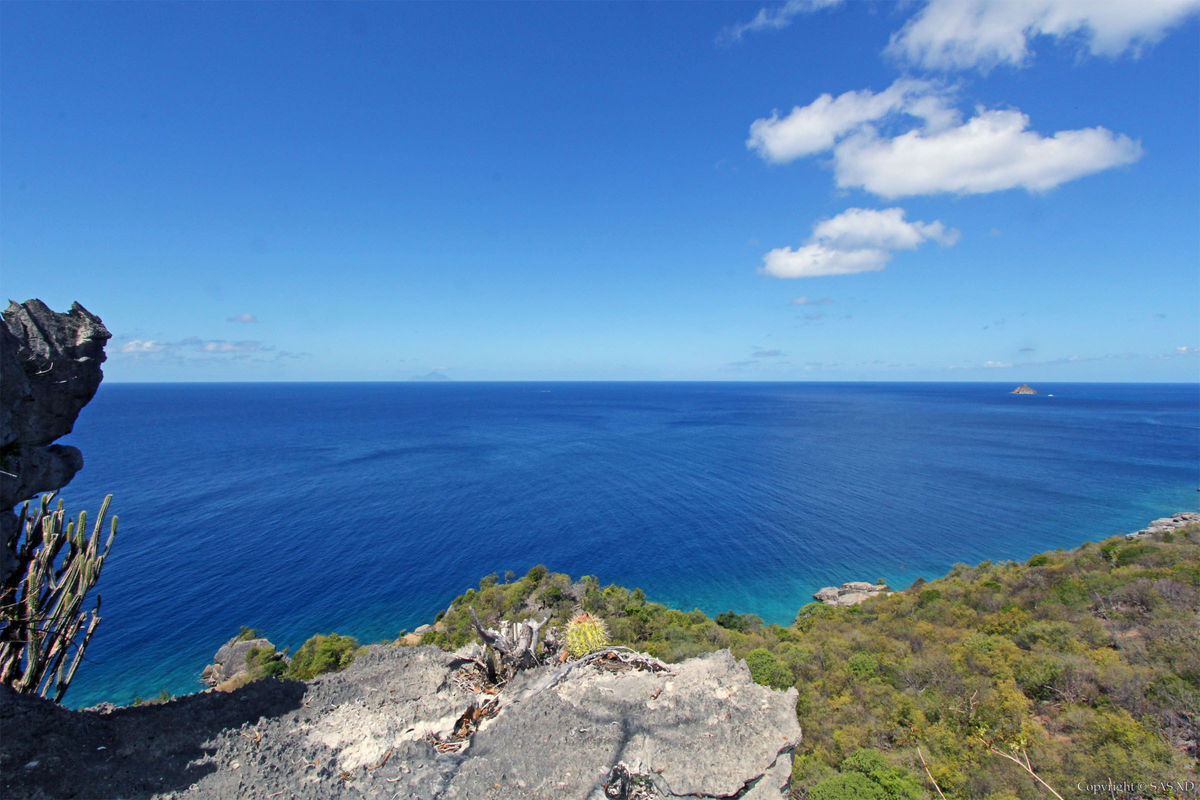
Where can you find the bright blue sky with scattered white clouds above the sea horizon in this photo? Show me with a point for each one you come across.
(814, 190)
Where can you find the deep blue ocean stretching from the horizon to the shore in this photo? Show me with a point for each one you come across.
(364, 509)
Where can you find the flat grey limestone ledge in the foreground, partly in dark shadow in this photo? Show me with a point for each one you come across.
(382, 729)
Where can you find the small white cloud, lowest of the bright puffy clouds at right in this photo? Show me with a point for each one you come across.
(859, 240)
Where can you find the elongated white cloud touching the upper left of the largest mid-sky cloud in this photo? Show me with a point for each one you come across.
(815, 128)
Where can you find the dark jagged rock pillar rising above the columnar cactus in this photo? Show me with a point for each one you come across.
(50, 370)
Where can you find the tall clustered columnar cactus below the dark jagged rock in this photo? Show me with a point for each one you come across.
(40, 605)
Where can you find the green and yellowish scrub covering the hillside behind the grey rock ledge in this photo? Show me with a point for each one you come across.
(1083, 665)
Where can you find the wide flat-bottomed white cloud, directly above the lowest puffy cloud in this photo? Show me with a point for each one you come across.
(993, 152)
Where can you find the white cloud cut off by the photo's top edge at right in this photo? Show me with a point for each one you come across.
(965, 34)
